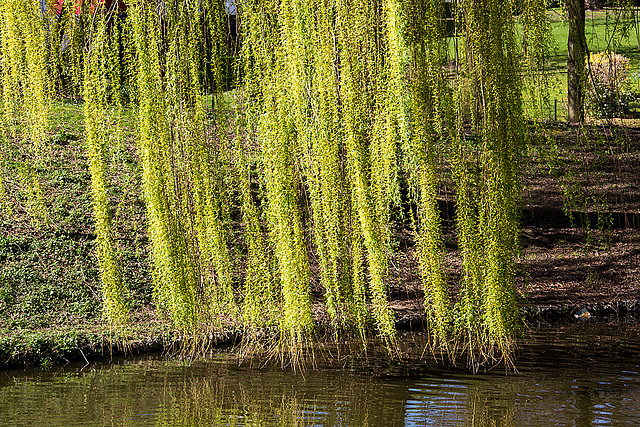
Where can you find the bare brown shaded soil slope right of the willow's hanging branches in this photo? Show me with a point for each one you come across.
(587, 252)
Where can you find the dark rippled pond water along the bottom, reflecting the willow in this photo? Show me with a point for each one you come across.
(580, 376)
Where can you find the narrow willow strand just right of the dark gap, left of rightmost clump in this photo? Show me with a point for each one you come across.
(430, 102)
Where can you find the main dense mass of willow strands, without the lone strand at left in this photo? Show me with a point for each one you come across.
(340, 97)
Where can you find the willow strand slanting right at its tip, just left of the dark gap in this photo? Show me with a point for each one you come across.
(361, 63)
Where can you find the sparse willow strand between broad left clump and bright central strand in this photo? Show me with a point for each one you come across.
(262, 296)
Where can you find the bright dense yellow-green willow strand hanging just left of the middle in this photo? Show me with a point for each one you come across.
(280, 170)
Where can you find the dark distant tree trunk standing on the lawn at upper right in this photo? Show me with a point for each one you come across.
(577, 49)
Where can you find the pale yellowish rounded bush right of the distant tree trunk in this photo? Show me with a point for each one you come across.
(607, 83)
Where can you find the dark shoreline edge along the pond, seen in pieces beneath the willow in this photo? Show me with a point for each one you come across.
(59, 347)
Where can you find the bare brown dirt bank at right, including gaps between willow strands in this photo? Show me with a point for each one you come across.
(580, 226)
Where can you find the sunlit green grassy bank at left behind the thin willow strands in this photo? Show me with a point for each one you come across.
(49, 281)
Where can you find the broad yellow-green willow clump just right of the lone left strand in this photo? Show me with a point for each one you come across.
(183, 163)
